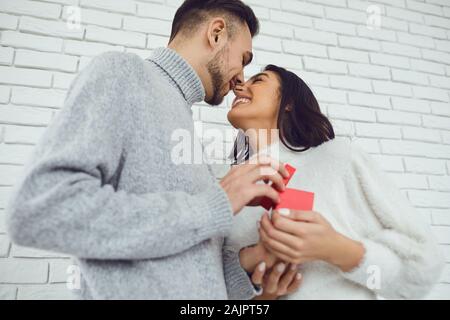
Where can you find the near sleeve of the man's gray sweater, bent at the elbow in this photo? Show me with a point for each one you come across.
(66, 202)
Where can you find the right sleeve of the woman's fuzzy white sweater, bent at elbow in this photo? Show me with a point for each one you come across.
(402, 260)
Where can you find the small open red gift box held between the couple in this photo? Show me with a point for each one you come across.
(291, 198)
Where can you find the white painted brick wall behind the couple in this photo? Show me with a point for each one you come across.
(389, 88)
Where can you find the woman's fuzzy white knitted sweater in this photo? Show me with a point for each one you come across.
(402, 259)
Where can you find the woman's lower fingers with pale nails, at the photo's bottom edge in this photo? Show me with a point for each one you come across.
(279, 281)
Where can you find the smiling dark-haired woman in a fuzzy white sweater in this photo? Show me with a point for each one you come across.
(363, 238)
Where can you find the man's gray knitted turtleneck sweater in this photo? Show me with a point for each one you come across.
(102, 187)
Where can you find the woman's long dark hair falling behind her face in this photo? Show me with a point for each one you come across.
(301, 123)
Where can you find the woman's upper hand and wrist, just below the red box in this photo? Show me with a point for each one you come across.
(300, 236)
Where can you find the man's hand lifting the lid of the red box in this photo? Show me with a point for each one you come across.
(240, 182)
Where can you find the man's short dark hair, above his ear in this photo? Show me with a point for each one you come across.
(194, 12)
